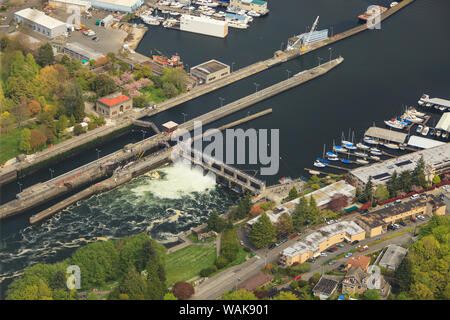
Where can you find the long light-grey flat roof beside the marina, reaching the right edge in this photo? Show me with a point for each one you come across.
(436, 157)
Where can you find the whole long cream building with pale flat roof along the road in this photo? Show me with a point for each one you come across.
(317, 242)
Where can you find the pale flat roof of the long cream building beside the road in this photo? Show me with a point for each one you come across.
(312, 241)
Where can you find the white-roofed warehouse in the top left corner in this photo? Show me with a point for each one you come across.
(41, 23)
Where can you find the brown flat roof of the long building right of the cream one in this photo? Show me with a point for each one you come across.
(377, 218)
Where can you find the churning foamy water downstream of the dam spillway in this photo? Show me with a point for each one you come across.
(179, 199)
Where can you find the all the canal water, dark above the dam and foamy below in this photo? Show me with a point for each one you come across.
(383, 70)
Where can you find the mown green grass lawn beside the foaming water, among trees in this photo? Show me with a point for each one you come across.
(186, 263)
